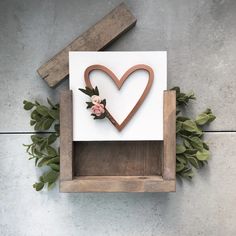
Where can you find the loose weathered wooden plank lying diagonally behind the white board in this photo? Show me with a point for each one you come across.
(100, 35)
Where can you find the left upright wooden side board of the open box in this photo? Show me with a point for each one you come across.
(66, 136)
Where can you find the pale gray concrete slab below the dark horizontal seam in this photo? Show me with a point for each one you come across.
(206, 206)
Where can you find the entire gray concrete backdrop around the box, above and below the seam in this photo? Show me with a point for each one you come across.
(199, 36)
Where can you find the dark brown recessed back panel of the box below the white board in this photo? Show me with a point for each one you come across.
(125, 158)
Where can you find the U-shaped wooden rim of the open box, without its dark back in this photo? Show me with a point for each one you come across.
(163, 182)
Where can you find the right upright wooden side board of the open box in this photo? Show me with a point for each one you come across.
(169, 160)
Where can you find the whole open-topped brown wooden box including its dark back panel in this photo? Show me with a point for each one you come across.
(117, 166)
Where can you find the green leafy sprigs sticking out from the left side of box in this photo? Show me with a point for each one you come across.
(42, 149)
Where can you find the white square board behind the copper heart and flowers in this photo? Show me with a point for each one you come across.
(147, 122)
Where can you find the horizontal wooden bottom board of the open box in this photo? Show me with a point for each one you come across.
(118, 184)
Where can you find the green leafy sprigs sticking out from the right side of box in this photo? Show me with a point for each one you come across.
(191, 150)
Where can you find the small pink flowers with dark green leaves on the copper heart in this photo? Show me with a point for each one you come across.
(97, 105)
